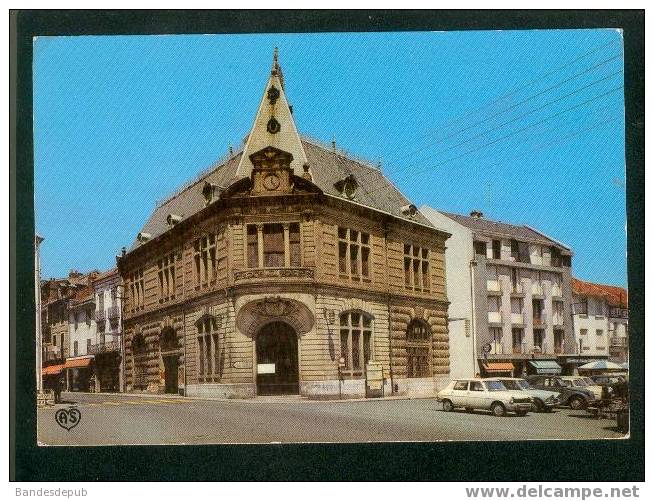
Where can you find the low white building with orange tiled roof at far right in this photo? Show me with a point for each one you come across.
(601, 321)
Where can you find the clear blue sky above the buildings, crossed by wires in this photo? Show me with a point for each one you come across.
(527, 126)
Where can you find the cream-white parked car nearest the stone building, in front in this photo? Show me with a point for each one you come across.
(485, 394)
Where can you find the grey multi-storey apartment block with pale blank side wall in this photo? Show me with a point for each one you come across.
(510, 295)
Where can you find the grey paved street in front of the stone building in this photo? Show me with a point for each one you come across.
(134, 419)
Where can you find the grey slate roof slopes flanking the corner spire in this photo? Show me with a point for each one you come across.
(327, 167)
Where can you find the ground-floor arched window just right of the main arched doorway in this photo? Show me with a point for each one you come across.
(356, 341)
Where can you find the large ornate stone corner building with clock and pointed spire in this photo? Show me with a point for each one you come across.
(289, 268)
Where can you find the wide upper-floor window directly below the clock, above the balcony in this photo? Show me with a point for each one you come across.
(273, 245)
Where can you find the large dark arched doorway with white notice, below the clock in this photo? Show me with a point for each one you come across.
(277, 360)
